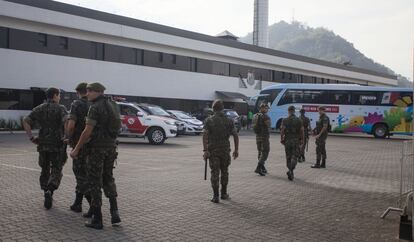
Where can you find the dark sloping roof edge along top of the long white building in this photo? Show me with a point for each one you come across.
(117, 19)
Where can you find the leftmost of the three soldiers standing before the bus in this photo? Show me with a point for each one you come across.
(261, 125)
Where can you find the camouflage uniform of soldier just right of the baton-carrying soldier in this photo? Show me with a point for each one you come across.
(262, 138)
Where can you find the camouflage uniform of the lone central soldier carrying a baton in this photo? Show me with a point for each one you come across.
(219, 128)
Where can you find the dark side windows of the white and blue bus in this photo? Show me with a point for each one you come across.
(370, 98)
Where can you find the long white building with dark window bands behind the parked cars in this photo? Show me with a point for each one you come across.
(45, 43)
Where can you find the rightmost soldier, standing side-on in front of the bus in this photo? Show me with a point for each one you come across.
(321, 134)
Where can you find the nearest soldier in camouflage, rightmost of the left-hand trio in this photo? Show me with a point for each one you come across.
(102, 127)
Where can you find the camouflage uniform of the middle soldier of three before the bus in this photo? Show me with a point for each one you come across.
(292, 126)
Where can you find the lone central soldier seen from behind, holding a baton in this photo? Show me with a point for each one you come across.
(216, 147)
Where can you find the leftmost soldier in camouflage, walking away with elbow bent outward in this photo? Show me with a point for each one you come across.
(50, 116)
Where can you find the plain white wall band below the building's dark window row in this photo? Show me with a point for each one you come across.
(22, 70)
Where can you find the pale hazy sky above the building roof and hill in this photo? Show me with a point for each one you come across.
(382, 30)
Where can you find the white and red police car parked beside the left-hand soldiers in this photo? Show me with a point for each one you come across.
(138, 123)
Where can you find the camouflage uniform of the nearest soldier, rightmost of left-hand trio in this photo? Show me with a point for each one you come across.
(101, 150)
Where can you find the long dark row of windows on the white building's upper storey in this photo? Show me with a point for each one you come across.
(60, 45)
